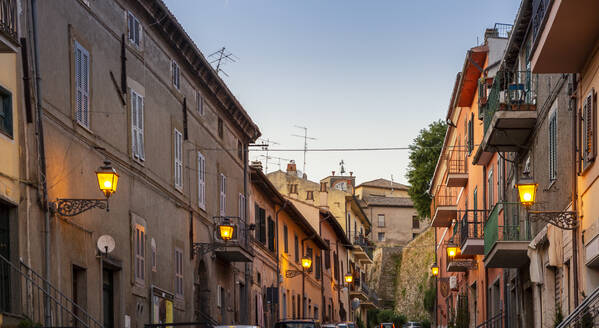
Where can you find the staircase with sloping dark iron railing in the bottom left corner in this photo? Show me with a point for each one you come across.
(27, 295)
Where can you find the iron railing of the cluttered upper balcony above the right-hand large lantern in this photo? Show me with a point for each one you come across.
(515, 91)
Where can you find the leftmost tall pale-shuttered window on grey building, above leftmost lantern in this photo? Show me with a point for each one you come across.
(81, 85)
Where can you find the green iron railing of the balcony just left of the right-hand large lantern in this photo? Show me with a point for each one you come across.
(504, 224)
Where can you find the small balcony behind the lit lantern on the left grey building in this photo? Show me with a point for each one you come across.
(239, 248)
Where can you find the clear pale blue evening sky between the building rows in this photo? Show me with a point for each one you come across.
(356, 74)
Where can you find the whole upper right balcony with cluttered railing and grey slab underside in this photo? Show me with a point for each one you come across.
(509, 116)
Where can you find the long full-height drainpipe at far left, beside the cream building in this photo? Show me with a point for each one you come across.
(42, 164)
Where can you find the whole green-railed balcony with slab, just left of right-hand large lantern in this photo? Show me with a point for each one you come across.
(506, 237)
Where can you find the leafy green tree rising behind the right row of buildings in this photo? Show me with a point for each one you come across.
(424, 153)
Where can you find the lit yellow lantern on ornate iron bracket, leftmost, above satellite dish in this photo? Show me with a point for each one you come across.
(107, 182)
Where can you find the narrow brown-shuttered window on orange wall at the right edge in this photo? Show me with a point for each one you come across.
(589, 115)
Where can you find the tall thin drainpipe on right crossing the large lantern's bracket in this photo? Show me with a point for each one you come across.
(573, 106)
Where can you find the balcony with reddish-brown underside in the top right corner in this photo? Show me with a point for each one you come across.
(563, 29)
